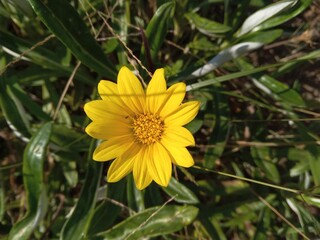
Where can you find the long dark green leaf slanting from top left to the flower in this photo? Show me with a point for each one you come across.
(64, 21)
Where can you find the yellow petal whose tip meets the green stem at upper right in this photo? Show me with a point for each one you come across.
(174, 96)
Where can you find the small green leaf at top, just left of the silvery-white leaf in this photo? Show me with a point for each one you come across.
(206, 26)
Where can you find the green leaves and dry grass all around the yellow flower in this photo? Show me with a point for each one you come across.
(253, 65)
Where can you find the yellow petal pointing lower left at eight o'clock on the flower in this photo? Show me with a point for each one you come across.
(112, 148)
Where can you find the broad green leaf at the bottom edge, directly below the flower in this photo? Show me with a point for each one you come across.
(152, 222)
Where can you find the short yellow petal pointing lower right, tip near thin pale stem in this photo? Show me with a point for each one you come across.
(180, 156)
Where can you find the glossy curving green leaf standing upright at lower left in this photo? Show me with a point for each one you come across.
(33, 160)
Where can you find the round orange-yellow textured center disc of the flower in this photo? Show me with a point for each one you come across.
(147, 128)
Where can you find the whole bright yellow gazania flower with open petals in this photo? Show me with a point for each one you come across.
(142, 129)
